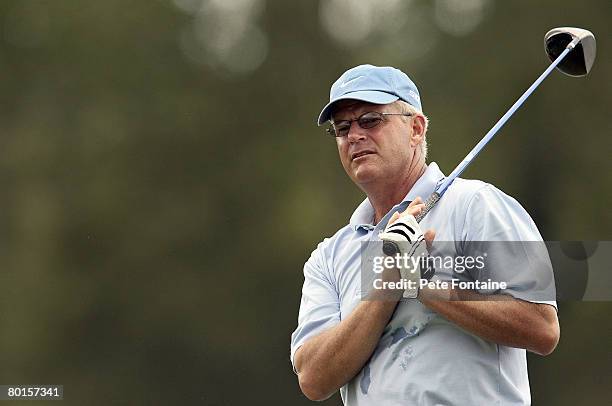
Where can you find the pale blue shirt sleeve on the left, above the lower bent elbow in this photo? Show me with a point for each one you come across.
(320, 304)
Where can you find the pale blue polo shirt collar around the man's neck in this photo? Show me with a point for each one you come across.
(363, 216)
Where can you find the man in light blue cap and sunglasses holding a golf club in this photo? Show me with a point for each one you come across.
(448, 346)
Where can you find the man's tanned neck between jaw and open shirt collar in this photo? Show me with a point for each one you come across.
(386, 194)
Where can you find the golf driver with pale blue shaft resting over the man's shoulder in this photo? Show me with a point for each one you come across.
(572, 51)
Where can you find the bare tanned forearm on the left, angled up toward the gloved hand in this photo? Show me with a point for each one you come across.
(328, 361)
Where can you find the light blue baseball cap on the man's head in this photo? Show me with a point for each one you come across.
(372, 84)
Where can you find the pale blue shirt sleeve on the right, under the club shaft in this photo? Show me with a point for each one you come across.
(498, 228)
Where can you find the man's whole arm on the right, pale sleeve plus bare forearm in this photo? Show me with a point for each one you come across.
(505, 318)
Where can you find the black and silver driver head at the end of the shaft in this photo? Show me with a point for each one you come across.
(578, 61)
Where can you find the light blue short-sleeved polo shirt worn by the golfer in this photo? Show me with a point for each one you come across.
(422, 358)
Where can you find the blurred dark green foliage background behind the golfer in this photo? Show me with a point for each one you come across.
(160, 196)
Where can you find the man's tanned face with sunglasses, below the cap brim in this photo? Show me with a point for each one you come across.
(382, 153)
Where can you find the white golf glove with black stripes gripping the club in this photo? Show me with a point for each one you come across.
(405, 238)
